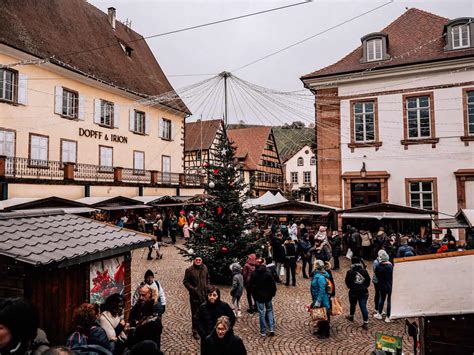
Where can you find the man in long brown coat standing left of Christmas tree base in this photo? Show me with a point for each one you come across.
(196, 280)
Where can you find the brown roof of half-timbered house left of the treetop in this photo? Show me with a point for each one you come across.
(201, 134)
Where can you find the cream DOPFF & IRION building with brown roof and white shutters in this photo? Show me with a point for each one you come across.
(82, 110)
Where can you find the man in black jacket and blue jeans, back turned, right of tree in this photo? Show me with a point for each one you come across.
(263, 288)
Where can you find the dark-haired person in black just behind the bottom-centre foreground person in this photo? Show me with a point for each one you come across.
(210, 311)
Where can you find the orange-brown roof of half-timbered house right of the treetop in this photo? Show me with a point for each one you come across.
(249, 143)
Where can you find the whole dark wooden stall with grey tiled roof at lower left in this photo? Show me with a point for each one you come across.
(59, 261)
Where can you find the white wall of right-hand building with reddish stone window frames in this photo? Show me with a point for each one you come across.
(418, 161)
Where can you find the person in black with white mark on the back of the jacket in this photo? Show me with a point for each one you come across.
(358, 282)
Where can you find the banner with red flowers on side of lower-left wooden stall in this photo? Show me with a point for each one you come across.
(106, 278)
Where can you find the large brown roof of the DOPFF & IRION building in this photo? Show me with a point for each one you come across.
(68, 29)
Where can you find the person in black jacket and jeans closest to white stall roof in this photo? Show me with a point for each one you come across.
(384, 273)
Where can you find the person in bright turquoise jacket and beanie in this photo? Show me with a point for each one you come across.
(320, 296)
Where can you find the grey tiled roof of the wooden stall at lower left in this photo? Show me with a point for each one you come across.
(53, 239)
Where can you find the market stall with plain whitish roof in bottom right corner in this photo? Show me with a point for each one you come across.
(437, 290)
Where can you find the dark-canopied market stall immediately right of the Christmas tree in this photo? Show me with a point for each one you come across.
(311, 214)
